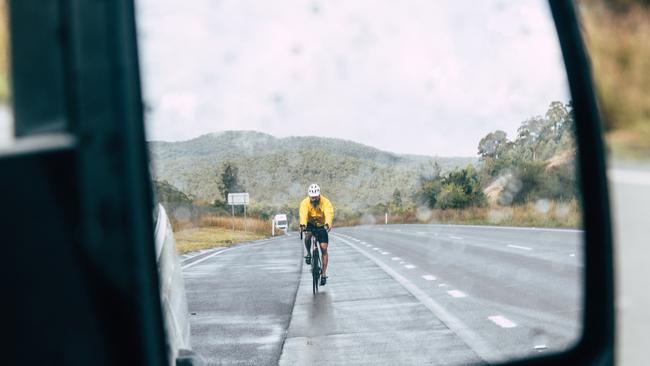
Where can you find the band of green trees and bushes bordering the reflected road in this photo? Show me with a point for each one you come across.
(526, 180)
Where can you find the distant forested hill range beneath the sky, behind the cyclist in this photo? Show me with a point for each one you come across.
(276, 171)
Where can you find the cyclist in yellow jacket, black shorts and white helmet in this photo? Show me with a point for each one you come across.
(316, 215)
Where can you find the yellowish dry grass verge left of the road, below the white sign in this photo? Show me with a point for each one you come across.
(193, 239)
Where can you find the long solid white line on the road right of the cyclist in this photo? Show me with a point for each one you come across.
(467, 334)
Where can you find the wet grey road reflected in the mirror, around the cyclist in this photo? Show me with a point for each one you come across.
(397, 294)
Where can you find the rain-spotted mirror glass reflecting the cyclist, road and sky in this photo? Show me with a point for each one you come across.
(440, 136)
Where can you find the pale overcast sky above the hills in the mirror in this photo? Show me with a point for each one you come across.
(422, 77)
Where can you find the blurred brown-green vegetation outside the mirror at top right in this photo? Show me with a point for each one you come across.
(617, 35)
